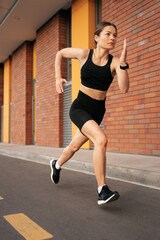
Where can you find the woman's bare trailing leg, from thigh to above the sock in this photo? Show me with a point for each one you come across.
(78, 140)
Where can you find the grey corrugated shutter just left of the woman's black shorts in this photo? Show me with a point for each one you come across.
(67, 124)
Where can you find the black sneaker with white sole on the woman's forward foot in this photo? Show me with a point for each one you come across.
(106, 195)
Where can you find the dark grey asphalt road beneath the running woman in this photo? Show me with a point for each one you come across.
(69, 210)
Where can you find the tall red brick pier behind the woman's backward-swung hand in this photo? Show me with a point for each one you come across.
(49, 109)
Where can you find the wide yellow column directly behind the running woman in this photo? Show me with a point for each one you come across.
(83, 27)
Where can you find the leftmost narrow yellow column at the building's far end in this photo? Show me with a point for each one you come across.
(7, 100)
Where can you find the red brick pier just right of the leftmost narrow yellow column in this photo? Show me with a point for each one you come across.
(22, 94)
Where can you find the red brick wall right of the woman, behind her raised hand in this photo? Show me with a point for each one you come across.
(132, 120)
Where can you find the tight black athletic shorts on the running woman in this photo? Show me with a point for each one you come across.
(85, 108)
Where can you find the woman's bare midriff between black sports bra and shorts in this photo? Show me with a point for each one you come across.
(93, 93)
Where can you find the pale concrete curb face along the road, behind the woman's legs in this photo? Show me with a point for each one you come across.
(140, 177)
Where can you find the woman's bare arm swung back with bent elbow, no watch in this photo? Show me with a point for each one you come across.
(73, 53)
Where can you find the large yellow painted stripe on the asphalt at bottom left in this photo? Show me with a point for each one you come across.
(26, 227)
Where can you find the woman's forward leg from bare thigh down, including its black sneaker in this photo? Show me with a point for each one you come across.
(92, 130)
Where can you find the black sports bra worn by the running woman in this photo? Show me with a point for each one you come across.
(94, 76)
